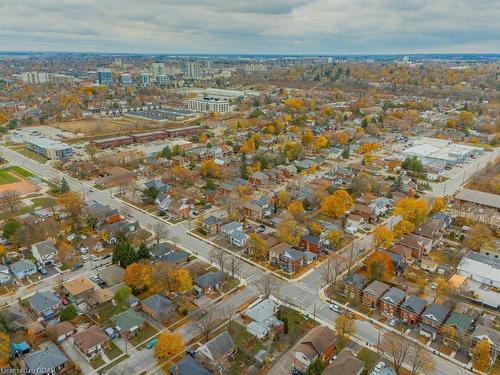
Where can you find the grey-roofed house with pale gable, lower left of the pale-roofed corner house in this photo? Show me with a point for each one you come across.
(218, 351)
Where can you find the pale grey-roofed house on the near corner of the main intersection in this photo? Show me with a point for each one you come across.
(263, 318)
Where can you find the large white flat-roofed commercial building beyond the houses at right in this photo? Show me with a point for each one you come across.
(440, 153)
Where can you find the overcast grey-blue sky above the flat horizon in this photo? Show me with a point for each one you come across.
(251, 26)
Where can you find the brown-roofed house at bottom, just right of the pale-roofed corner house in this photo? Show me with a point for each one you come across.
(318, 343)
